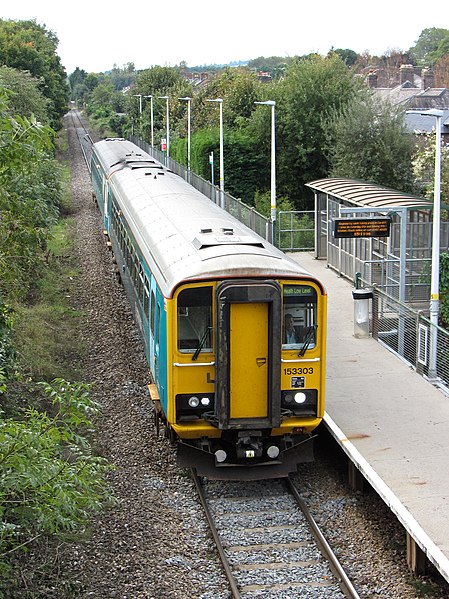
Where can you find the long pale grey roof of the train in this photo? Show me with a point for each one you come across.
(182, 234)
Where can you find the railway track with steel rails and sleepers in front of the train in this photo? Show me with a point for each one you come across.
(268, 542)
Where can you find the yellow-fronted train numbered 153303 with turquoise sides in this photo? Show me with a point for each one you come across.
(234, 330)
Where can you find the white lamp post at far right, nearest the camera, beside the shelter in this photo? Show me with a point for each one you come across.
(435, 279)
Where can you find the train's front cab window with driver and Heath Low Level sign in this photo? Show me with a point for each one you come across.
(299, 317)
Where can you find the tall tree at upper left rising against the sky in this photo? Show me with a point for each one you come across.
(27, 46)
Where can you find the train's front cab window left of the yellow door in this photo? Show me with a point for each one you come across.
(195, 320)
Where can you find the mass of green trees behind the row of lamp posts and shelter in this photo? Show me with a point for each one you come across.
(326, 121)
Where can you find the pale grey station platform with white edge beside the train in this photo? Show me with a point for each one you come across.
(391, 422)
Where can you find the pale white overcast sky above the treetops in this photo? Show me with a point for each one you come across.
(96, 35)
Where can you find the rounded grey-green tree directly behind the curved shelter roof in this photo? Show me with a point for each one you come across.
(368, 140)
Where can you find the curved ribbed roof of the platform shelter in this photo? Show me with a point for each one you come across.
(368, 195)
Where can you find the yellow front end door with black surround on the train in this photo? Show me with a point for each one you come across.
(248, 355)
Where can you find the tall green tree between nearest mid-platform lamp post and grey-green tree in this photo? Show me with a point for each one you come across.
(313, 89)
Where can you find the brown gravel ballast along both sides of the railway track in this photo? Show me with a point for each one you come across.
(154, 542)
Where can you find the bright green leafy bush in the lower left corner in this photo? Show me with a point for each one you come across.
(50, 481)
